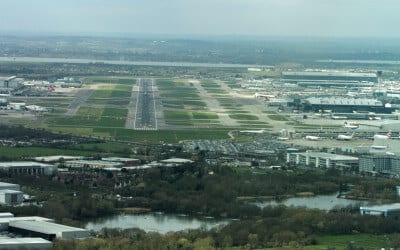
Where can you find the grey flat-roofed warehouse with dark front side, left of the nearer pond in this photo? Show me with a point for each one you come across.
(47, 230)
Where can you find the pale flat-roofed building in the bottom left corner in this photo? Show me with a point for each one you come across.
(24, 243)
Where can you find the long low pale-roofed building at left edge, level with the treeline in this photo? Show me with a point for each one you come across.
(27, 167)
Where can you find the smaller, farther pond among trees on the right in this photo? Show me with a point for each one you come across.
(323, 202)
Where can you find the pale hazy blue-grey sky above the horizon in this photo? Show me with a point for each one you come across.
(265, 18)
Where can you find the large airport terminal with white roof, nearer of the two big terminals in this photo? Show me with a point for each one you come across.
(345, 105)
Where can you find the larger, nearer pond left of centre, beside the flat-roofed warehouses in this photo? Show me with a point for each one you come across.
(155, 222)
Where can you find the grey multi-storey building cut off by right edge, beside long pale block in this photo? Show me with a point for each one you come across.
(385, 164)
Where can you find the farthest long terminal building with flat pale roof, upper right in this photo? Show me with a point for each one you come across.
(303, 76)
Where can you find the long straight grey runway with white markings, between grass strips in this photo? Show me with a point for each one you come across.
(145, 115)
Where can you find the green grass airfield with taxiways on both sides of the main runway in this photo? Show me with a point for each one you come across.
(106, 107)
